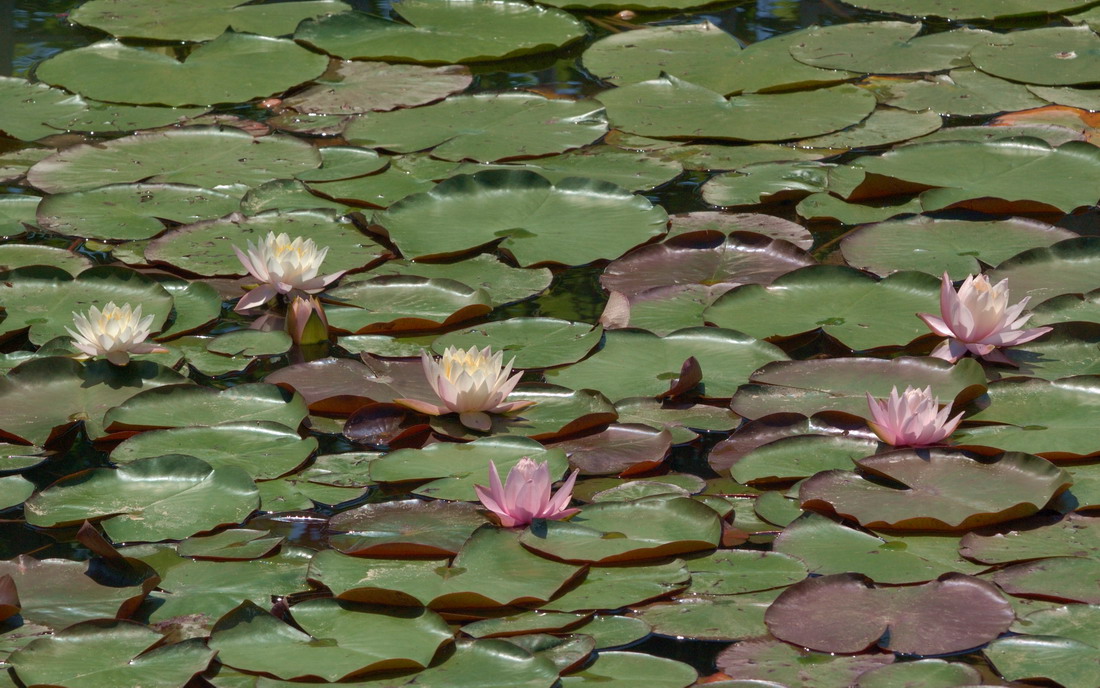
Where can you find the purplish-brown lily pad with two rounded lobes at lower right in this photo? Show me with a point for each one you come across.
(845, 614)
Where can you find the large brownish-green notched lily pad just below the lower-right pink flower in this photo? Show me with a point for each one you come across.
(942, 490)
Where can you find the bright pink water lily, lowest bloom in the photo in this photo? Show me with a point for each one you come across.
(526, 495)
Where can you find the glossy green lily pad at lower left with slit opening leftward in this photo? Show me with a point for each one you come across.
(149, 500)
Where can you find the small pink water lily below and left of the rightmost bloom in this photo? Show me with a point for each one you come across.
(911, 420)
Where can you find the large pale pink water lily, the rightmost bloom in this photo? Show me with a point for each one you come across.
(980, 320)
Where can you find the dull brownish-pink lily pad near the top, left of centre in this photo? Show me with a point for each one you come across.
(358, 88)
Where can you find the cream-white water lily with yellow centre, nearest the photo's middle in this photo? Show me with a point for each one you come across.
(470, 384)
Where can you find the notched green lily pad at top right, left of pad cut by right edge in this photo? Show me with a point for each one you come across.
(887, 48)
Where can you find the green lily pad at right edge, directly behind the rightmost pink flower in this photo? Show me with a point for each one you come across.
(1031, 274)
